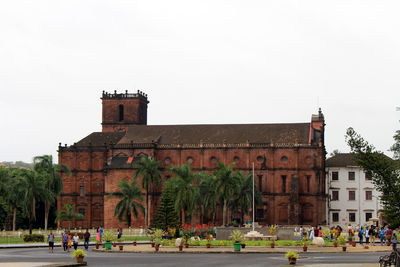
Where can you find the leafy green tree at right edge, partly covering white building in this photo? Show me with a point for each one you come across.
(384, 170)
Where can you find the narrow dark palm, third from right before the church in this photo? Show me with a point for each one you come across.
(208, 193)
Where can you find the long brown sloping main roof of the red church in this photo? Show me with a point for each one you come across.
(218, 133)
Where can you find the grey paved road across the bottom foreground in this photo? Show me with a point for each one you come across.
(192, 260)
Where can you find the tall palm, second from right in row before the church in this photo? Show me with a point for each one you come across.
(227, 186)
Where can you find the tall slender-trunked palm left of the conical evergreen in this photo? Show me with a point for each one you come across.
(148, 168)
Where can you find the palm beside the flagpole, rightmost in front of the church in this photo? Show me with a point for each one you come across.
(244, 200)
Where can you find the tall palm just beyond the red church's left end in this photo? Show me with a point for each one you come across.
(50, 172)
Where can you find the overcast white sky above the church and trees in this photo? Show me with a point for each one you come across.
(199, 62)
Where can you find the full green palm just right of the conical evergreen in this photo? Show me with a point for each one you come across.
(186, 191)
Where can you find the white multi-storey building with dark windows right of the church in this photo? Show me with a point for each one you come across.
(352, 197)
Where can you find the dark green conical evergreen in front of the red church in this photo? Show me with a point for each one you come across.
(166, 215)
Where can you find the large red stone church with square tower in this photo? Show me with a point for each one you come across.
(289, 161)
